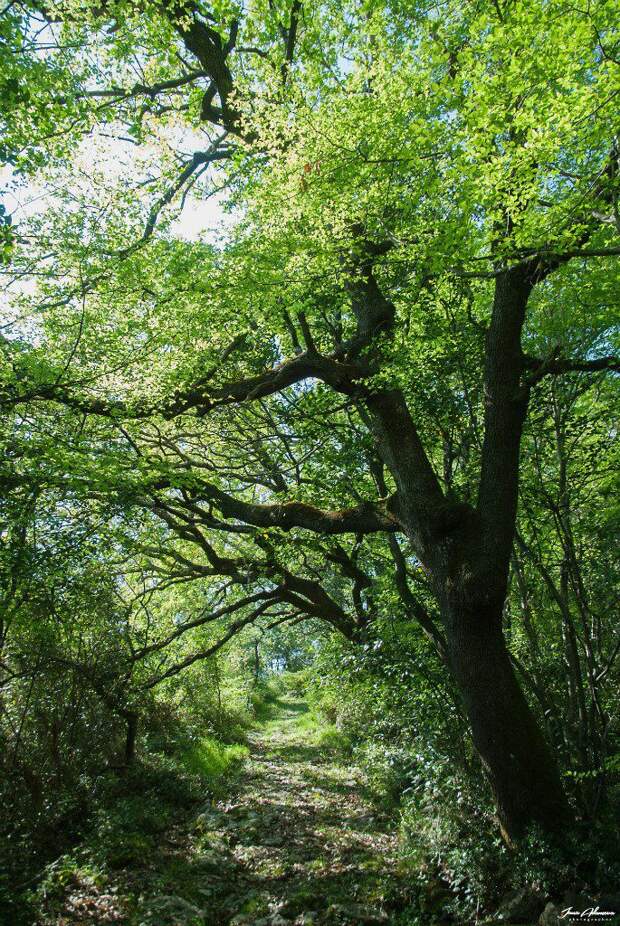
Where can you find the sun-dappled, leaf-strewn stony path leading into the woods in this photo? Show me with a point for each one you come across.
(298, 843)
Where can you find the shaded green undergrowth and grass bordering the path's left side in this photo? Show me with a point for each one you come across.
(131, 818)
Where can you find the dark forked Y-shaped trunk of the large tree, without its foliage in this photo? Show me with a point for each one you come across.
(467, 552)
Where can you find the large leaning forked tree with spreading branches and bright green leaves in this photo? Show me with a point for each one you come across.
(413, 189)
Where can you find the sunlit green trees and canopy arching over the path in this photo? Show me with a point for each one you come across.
(372, 407)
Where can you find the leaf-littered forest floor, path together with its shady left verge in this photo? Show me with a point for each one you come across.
(297, 841)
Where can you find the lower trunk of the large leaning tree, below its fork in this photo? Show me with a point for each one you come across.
(519, 764)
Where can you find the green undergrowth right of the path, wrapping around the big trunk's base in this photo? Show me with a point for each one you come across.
(421, 769)
